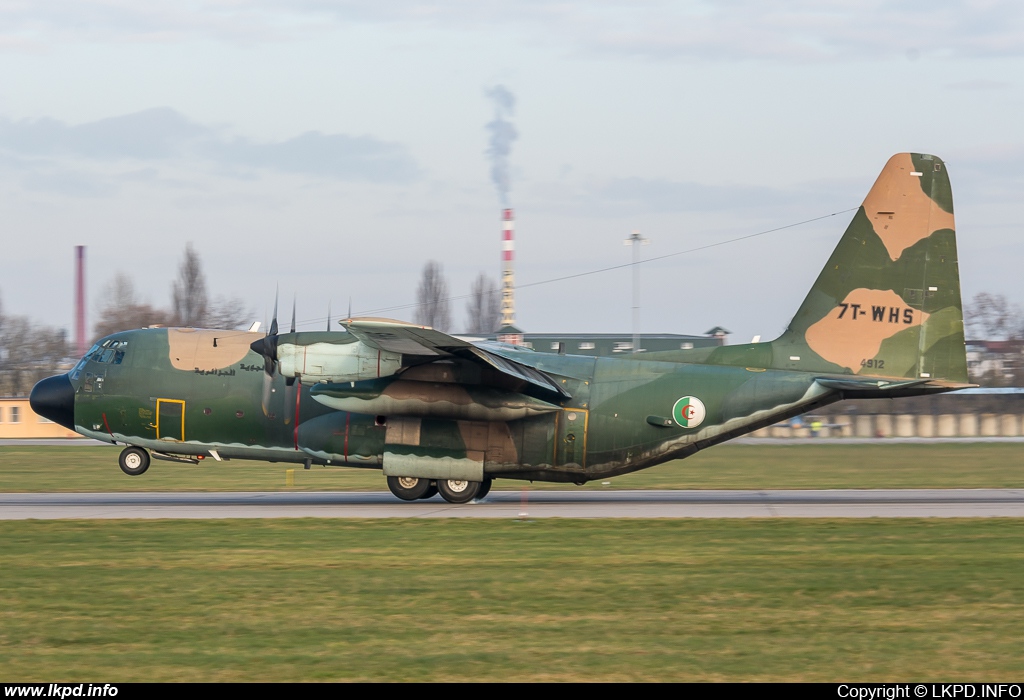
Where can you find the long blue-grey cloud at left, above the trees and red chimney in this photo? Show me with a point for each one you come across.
(165, 136)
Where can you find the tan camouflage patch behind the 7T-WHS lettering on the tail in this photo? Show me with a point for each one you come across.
(852, 333)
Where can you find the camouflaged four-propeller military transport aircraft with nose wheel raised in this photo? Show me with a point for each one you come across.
(438, 414)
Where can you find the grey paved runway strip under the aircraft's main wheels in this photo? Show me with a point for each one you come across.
(511, 505)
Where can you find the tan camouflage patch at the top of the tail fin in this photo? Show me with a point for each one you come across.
(900, 210)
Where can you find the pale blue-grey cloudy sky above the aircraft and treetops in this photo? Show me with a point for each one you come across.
(330, 150)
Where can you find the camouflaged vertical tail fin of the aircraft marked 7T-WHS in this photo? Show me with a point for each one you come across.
(888, 302)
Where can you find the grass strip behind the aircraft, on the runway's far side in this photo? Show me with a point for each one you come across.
(757, 467)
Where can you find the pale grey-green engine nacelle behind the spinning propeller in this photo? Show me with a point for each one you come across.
(336, 363)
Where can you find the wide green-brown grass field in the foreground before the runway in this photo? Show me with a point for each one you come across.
(554, 600)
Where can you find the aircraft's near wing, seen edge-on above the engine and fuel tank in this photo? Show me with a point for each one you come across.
(407, 339)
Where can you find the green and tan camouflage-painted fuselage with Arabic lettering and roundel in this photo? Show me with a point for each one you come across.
(620, 417)
